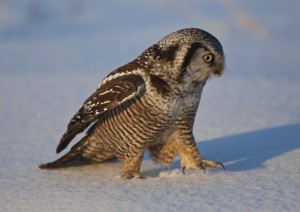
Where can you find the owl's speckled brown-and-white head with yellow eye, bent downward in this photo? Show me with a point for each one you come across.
(185, 55)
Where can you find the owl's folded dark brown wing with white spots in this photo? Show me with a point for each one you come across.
(110, 94)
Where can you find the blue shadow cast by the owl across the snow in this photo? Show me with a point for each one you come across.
(251, 150)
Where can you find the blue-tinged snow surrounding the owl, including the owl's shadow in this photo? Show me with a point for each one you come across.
(54, 56)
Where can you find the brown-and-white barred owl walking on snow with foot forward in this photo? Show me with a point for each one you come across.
(148, 104)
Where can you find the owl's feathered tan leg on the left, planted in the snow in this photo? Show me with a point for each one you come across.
(131, 166)
